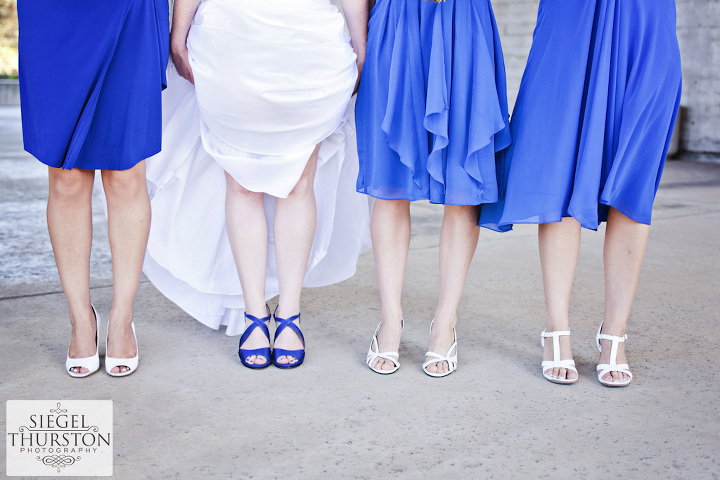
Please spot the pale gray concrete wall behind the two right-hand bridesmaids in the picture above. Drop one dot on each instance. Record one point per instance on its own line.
(699, 36)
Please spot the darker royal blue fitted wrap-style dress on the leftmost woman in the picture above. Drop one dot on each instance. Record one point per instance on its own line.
(91, 77)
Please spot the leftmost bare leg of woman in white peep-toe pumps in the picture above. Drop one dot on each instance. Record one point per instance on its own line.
(69, 217)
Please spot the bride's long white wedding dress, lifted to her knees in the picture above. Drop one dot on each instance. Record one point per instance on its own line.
(272, 79)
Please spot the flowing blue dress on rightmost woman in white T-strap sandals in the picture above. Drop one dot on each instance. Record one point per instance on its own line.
(594, 116)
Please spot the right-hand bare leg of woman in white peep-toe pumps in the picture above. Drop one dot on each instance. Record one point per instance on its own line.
(128, 229)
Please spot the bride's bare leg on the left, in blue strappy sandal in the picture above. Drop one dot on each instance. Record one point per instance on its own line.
(247, 230)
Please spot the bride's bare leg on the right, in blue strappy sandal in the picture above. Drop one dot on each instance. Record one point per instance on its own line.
(295, 221)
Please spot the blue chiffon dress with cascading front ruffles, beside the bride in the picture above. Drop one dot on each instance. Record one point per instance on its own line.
(432, 106)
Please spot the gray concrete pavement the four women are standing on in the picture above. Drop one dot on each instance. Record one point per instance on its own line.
(192, 411)
